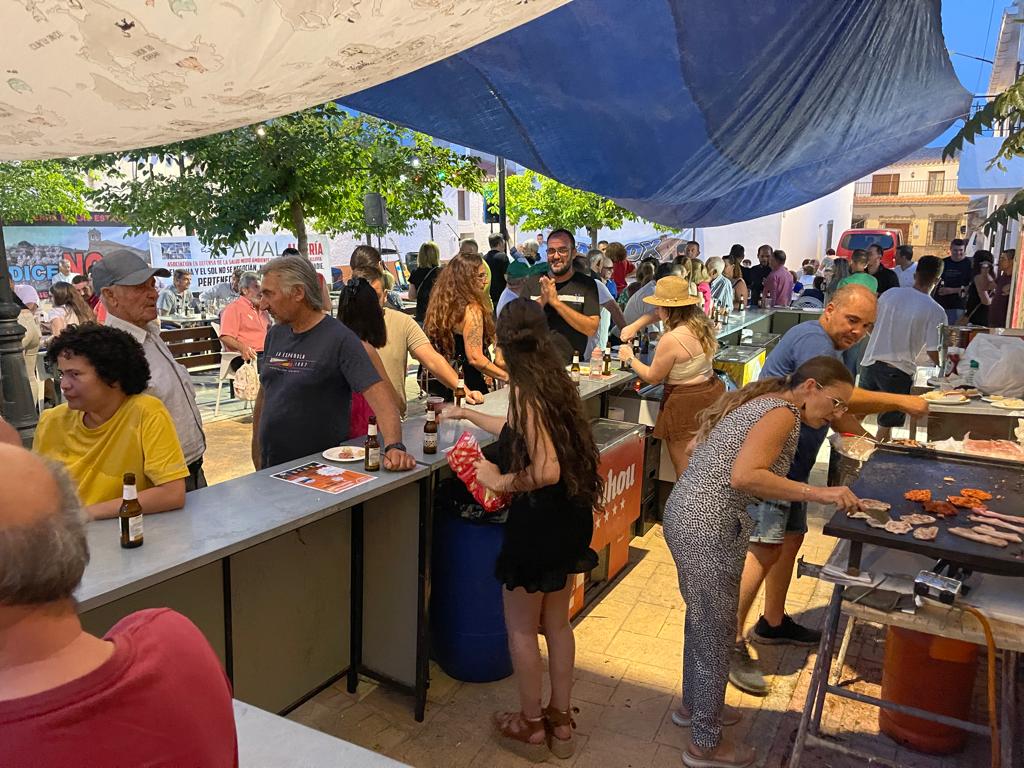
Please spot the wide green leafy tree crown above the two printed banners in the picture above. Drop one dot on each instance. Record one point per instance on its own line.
(312, 168)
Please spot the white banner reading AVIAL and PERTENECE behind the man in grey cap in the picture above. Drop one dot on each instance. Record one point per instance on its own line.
(208, 270)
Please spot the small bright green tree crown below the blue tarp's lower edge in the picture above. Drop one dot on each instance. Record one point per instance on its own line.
(537, 202)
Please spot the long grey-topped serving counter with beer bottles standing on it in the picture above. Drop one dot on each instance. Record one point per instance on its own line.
(295, 587)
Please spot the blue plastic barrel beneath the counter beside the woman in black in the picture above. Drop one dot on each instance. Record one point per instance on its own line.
(467, 623)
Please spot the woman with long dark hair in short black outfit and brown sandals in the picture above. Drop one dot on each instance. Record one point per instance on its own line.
(548, 460)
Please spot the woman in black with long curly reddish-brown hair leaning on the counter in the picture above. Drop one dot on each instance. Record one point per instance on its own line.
(460, 327)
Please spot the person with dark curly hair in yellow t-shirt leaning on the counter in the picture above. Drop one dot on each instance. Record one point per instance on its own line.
(107, 428)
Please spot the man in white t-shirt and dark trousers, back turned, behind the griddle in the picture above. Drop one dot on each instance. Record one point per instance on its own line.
(907, 327)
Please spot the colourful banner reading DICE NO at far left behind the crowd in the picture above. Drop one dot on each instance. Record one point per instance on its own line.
(35, 250)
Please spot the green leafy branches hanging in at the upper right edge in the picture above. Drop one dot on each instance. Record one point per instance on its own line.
(1007, 113)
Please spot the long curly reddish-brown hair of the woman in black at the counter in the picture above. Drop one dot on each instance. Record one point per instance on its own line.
(456, 289)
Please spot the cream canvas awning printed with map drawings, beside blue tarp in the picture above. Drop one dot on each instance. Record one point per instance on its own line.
(94, 76)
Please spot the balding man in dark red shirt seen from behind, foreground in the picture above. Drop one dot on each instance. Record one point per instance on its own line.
(151, 692)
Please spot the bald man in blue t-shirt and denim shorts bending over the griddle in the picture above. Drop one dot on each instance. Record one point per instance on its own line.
(780, 527)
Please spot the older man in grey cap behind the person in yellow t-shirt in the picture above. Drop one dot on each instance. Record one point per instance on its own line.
(127, 287)
